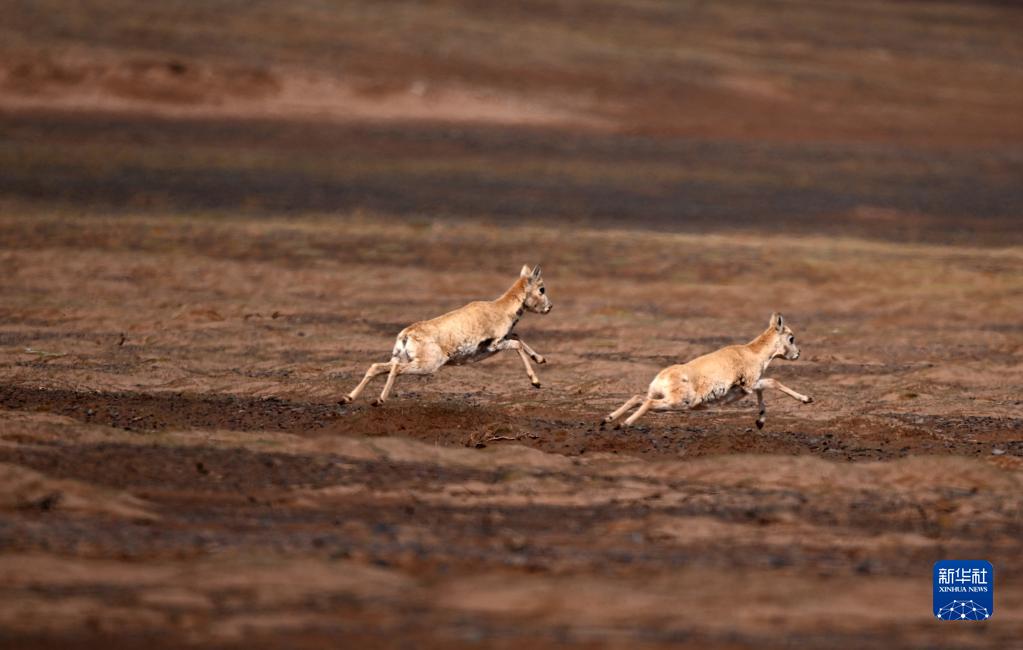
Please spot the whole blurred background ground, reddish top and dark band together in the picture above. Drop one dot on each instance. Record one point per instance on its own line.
(873, 119)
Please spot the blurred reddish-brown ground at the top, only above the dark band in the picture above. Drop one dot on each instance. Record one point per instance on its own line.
(928, 73)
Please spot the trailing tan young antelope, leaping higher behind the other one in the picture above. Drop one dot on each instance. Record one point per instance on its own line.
(469, 334)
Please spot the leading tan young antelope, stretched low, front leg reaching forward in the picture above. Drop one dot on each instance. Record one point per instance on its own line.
(723, 377)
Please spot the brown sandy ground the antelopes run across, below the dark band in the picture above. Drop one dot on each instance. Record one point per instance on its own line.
(177, 470)
